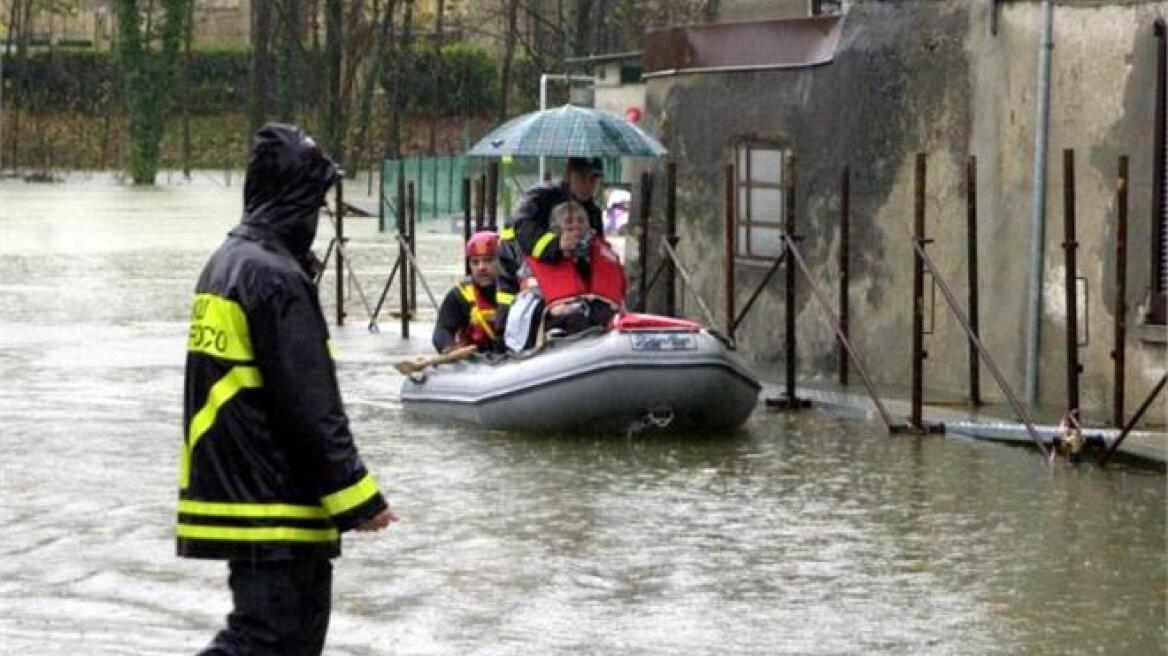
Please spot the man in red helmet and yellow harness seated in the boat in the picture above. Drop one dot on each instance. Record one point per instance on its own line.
(468, 313)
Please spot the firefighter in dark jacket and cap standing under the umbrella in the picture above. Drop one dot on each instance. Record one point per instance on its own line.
(529, 233)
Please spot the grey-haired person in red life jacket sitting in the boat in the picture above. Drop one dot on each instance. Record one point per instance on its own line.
(586, 287)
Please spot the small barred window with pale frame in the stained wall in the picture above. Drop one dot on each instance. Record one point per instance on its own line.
(761, 200)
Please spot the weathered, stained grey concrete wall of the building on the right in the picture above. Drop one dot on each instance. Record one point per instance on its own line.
(926, 76)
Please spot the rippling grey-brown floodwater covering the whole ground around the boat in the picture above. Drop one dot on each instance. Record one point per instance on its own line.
(797, 535)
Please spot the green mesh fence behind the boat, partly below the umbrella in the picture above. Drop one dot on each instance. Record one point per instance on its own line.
(439, 185)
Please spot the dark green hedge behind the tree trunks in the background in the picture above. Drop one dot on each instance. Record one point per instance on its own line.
(88, 82)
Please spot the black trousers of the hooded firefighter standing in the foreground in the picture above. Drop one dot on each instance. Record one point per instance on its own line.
(281, 609)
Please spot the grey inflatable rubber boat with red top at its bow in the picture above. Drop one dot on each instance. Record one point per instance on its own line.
(645, 372)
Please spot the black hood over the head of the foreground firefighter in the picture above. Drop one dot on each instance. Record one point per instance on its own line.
(288, 179)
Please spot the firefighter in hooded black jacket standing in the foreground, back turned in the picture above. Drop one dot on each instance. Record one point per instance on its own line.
(269, 474)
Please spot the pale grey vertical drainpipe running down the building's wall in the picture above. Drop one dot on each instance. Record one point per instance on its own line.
(1039, 218)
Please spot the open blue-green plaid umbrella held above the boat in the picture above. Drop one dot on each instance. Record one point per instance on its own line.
(568, 132)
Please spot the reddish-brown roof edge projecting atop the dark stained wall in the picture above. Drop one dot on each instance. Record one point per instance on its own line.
(742, 46)
